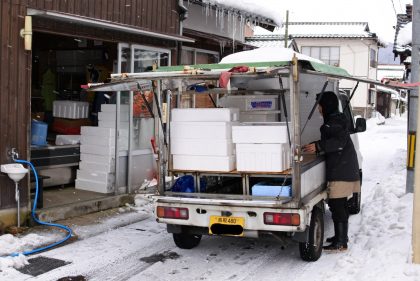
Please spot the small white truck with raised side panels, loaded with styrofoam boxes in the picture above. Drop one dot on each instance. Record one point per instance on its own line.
(231, 178)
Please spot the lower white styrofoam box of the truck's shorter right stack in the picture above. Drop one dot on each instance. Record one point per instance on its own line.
(262, 157)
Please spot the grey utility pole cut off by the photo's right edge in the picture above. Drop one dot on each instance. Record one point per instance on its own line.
(415, 60)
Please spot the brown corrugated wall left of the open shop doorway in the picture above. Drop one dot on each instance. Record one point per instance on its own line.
(15, 81)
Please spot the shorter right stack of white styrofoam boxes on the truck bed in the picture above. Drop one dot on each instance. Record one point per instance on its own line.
(261, 147)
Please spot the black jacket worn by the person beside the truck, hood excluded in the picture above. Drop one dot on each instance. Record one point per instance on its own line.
(336, 144)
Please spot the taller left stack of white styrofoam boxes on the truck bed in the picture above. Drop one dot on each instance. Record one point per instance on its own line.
(201, 139)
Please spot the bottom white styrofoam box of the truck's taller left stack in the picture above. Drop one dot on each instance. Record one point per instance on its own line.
(204, 163)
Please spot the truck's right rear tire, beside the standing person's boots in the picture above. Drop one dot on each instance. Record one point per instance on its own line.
(312, 249)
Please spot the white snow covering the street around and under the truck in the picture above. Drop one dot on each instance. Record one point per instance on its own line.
(379, 248)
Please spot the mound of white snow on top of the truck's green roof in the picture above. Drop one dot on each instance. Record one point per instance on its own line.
(267, 54)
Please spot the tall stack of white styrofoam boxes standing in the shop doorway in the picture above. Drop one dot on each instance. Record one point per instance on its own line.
(97, 151)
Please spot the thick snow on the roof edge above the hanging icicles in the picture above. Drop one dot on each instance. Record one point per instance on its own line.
(270, 9)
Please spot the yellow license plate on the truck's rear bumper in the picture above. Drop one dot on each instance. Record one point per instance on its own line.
(233, 224)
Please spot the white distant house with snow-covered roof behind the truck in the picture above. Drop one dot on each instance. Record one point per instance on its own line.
(350, 45)
